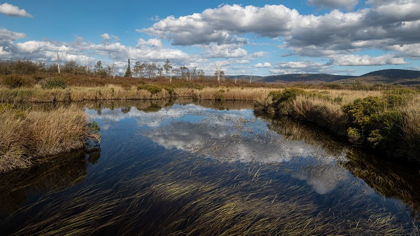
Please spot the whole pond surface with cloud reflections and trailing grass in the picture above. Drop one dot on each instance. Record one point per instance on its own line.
(208, 168)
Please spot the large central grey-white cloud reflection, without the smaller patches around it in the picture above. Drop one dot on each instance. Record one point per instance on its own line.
(222, 140)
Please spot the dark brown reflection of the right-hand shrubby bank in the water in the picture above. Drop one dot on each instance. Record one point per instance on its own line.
(388, 179)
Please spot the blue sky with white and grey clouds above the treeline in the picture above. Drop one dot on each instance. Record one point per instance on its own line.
(346, 37)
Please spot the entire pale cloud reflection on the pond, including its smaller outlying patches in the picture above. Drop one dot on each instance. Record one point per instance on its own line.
(234, 136)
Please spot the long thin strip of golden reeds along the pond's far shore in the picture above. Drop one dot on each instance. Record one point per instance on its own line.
(141, 92)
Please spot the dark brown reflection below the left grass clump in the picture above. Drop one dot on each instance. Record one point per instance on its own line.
(53, 174)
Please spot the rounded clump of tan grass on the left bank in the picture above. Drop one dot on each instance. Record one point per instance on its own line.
(28, 135)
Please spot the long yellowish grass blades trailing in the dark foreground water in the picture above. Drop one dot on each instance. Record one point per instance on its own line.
(183, 199)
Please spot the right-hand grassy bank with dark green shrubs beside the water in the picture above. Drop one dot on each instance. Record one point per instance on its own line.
(387, 122)
